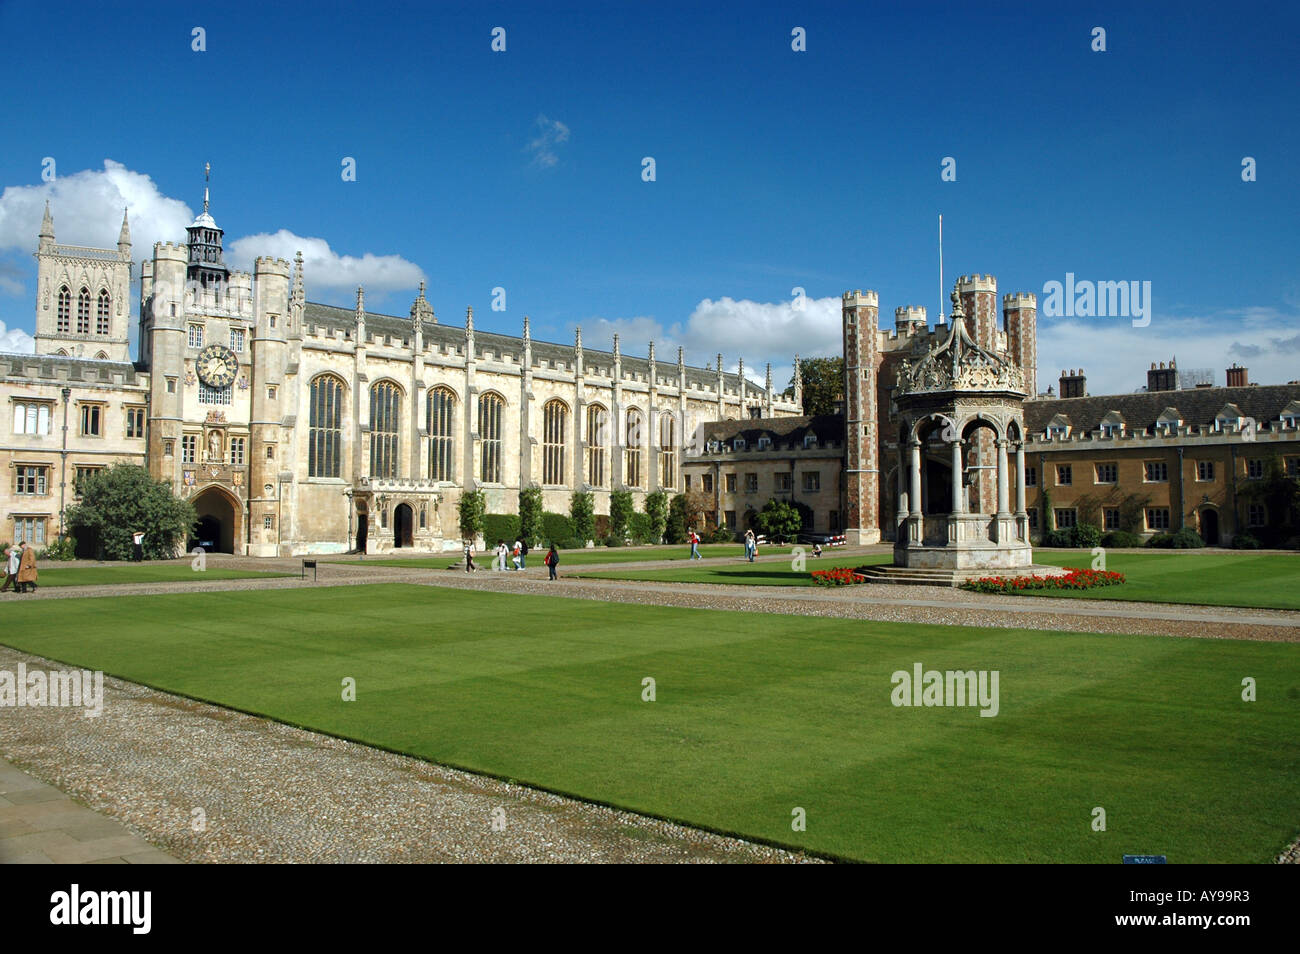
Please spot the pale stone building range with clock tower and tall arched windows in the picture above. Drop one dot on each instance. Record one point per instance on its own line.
(305, 428)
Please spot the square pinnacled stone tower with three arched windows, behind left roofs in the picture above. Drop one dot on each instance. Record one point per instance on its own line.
(83, 300)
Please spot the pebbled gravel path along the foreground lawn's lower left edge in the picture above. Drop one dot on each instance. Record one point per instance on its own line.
(272, 793)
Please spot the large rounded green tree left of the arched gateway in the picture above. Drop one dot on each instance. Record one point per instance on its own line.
(122, 500)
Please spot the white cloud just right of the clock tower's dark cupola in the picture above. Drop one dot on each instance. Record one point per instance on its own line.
(324, 268)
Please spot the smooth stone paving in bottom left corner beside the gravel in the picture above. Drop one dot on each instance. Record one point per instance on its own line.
(42, 826)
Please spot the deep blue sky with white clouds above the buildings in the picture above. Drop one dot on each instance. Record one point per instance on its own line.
(775, 170)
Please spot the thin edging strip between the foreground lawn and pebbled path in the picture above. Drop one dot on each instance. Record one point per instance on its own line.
(479, 773)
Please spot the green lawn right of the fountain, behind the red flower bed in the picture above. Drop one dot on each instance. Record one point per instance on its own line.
(1258, 580)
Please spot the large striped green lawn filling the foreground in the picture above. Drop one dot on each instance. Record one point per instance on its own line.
(756, 715)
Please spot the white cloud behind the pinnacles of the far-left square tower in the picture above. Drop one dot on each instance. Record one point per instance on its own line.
(88, 210)
